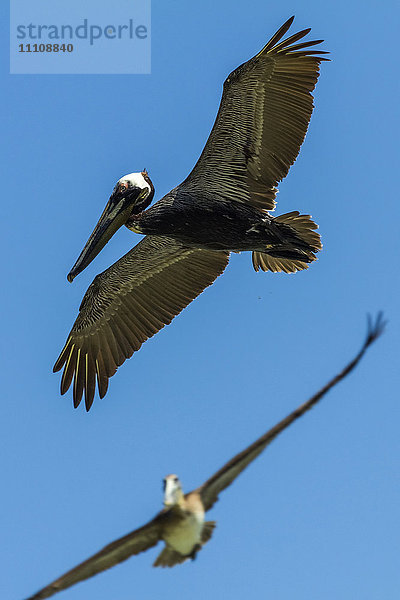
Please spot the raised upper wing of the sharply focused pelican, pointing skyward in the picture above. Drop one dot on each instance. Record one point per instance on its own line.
(261, 123)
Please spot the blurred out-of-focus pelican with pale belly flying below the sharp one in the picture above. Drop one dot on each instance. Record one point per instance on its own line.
(181, 523)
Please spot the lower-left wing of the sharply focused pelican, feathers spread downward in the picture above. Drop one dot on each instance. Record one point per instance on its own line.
(127, 304)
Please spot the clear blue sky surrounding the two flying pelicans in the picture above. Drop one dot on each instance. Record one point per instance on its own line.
(316, 516)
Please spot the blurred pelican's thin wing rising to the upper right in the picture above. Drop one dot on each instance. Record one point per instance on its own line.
(224, 477)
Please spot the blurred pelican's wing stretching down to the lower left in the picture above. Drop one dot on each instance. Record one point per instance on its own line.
(116, 552)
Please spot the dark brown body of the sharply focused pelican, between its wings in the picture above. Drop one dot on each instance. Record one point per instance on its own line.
(215, 223)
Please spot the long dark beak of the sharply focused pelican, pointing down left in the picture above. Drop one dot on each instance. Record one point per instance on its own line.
(116, 213)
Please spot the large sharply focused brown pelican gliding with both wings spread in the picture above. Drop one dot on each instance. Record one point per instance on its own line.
(221, 207)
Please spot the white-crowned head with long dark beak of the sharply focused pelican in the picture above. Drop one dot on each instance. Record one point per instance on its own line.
(131, 194)
